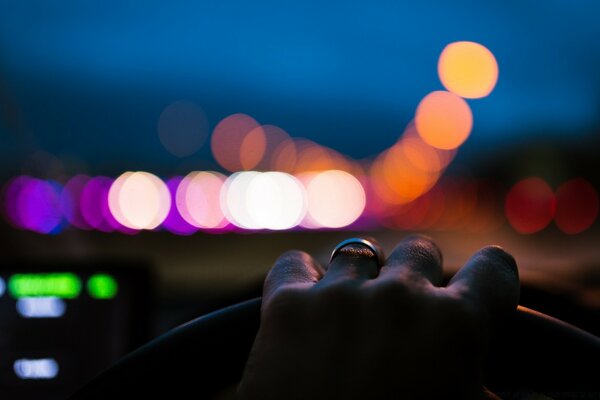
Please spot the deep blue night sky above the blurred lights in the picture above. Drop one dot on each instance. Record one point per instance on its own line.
(89, 79)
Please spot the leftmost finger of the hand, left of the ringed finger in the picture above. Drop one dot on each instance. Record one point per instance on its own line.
(293, 268)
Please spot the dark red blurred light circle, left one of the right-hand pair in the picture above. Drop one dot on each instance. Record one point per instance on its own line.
(530, 205)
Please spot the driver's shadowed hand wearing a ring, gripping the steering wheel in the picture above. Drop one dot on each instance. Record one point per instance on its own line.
(356, 332)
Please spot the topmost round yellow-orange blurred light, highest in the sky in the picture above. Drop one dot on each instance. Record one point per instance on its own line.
(468, 69)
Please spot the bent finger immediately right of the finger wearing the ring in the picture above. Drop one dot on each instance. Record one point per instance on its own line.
(416, 256)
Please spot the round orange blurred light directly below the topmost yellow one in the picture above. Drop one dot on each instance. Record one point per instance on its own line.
(444, 120)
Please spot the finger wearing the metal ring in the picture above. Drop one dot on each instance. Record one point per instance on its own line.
(353, 261)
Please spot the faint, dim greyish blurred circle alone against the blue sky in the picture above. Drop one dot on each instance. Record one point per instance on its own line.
(182, 128)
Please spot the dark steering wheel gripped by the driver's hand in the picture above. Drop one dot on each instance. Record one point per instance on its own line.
(531, 352)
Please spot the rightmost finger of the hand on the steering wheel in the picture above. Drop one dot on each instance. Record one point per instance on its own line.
(490, 279)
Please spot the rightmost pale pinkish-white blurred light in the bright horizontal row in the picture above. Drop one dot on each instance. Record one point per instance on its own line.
(335, 199)
